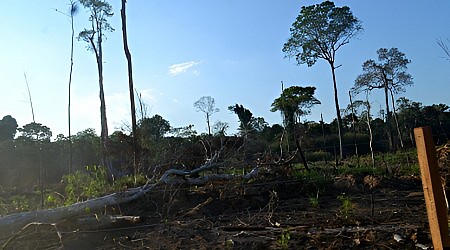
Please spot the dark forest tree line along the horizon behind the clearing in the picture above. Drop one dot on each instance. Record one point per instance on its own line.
(26, 150)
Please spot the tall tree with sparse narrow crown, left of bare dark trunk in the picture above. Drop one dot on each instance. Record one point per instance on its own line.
(100, 10)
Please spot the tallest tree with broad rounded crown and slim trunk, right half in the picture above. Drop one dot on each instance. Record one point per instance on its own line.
(319, 31)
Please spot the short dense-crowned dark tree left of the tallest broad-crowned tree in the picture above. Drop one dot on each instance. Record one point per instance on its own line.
(294, 103)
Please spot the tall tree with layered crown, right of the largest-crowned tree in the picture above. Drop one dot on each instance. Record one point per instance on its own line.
(388, 74)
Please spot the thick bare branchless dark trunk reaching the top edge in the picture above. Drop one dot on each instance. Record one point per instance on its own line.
(131, 88)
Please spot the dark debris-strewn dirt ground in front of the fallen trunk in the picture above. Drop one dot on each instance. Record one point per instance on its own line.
(275, 214)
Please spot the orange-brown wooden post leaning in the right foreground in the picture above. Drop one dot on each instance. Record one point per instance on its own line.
(432, 188)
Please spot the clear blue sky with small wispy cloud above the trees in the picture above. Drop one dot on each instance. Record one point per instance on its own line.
(185, 49)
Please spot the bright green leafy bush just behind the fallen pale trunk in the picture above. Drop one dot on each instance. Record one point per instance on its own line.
(84, 185)
